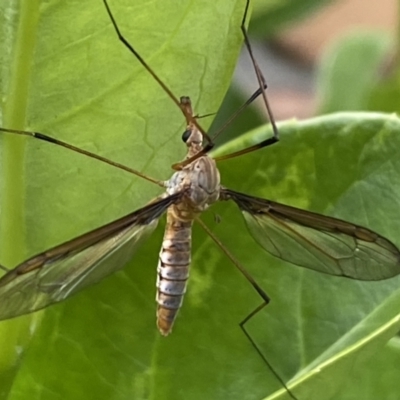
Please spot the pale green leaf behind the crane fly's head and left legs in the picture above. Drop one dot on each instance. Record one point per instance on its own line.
(69, 76)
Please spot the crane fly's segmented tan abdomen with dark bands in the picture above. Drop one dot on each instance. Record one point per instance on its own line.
(173, 270)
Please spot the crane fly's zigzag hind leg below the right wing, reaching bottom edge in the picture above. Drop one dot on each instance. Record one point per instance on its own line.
(259, 290)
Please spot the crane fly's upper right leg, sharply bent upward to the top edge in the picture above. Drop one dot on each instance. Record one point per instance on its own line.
(262, 84)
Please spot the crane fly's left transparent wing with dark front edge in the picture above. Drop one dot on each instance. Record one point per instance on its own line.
(60, 272)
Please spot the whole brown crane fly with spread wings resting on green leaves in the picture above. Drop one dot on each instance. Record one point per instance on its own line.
(300, 237)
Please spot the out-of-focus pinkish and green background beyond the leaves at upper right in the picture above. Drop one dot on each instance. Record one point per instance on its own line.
(319, 56)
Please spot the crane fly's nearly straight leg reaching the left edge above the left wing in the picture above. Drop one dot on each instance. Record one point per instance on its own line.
(41, 136)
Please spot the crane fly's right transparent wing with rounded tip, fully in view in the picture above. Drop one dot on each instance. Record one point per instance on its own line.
(314, 241)
